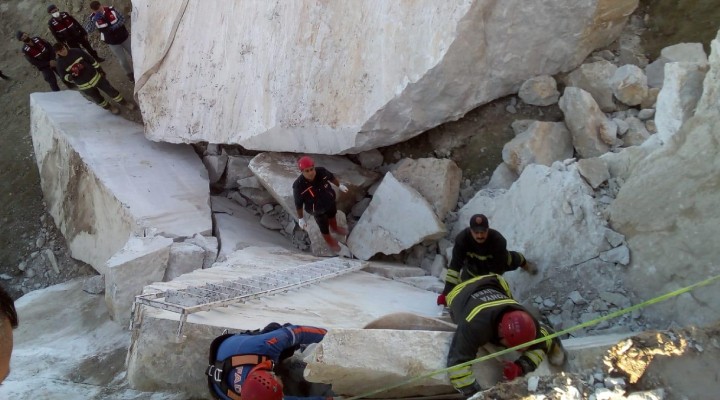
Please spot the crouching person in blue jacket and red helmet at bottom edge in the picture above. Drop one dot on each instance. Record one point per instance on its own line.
(242, 365)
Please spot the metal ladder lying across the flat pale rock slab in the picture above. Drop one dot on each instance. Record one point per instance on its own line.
(213, 295)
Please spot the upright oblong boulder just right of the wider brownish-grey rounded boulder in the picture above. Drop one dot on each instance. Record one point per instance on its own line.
(585, 120)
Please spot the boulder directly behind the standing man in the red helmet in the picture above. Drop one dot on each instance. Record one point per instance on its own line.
(277, 172)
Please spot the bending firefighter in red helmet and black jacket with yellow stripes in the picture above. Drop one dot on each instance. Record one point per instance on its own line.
(485, 312)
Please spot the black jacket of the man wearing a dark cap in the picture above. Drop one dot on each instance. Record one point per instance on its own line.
(470, 258)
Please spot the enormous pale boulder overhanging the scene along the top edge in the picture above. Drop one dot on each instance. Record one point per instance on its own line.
(344, 77)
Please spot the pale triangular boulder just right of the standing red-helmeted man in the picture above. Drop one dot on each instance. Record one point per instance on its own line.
(397, 218)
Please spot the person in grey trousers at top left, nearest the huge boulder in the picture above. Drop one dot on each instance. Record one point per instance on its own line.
(111, 25)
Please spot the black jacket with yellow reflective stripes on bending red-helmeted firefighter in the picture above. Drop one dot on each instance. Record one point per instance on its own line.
(477, 307)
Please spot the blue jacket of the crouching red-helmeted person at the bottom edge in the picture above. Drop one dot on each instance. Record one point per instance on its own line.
(259, 348)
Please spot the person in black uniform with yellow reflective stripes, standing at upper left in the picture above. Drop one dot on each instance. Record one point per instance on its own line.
(78, 67)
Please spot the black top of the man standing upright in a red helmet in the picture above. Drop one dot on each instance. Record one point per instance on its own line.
(316, 197)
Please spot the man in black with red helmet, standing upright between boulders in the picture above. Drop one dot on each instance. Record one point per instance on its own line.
(312, 191)
